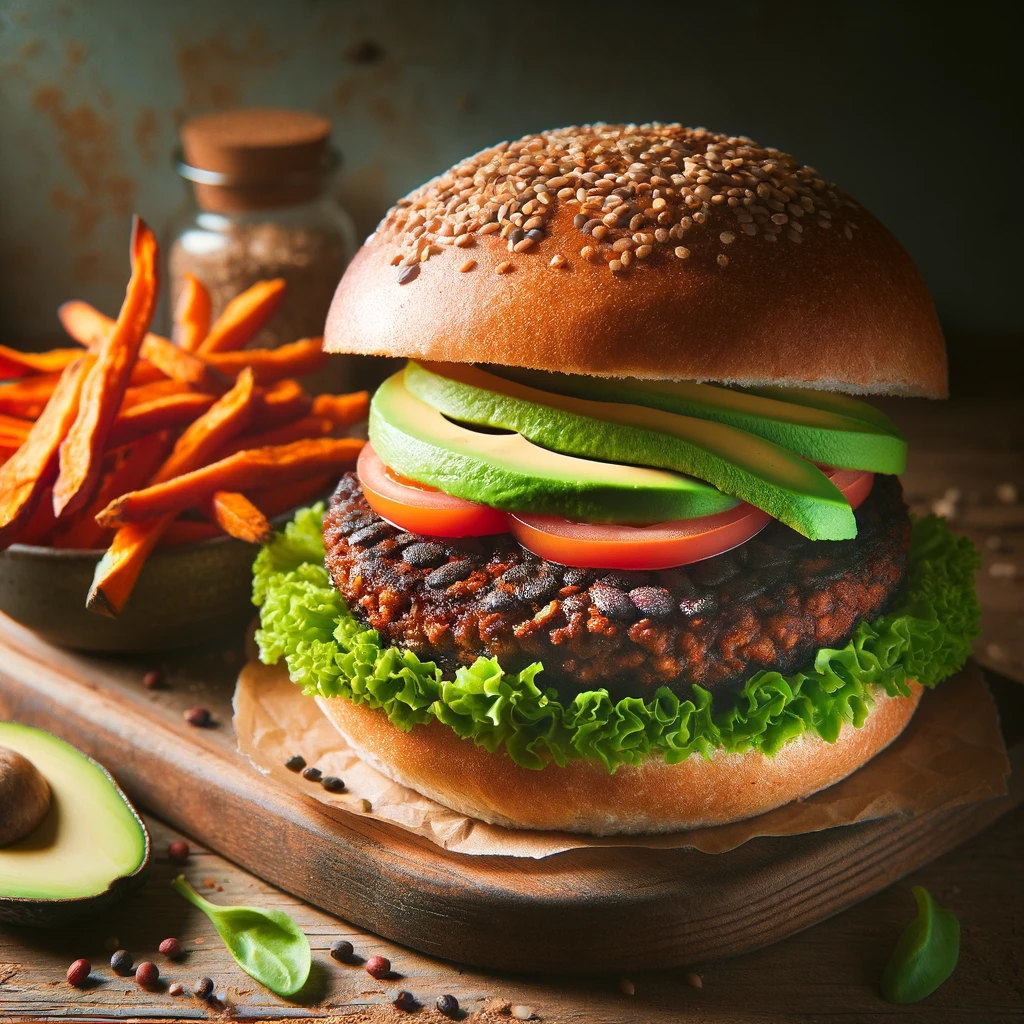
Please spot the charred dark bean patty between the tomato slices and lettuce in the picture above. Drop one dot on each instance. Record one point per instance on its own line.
(771, 604)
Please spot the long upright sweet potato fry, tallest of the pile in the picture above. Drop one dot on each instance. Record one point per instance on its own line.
(81, 453)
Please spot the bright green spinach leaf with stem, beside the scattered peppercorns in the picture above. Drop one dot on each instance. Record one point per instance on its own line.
(268, 945)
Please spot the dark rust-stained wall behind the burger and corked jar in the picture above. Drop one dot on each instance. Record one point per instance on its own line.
(914, 109)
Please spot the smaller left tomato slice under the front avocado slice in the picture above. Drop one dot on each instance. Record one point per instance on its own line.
(421, 509)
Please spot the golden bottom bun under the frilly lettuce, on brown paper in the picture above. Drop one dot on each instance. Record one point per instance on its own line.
(583, 797)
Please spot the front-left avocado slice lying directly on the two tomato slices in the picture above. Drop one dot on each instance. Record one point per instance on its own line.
(506, 472)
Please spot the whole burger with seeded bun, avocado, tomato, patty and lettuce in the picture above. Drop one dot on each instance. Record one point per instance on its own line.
(627, 549)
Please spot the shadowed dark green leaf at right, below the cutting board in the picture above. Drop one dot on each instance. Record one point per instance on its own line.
(926, 954)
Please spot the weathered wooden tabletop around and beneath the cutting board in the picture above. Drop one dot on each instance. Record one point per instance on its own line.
(964, 454)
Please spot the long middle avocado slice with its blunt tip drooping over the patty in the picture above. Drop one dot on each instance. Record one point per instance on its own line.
(739, 463)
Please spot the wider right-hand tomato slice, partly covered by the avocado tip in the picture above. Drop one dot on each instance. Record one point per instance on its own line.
(663, 545)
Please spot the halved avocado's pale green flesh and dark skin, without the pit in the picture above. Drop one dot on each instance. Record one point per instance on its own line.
(89, 851)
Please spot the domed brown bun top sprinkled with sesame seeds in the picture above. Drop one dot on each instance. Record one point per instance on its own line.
(653, 251)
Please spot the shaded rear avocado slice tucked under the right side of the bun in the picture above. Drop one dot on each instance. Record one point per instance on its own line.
(835, 431)
